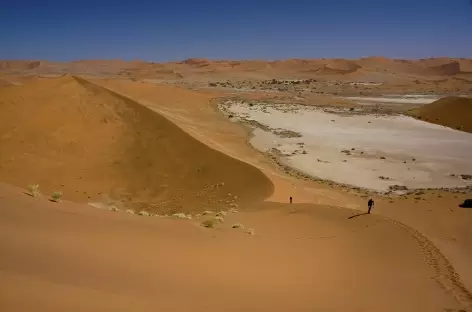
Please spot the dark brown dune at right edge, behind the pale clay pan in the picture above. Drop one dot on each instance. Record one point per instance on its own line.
(453, 112)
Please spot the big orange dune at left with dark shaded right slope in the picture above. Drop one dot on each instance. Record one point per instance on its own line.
(67, 134)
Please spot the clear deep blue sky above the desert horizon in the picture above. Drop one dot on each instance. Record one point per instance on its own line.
(238, 29)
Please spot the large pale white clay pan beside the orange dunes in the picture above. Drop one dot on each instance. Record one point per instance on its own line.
(367, 151)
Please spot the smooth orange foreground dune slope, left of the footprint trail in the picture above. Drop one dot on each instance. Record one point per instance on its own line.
(84, 259)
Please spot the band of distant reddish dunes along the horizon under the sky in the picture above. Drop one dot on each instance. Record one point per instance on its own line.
(251, 69)
